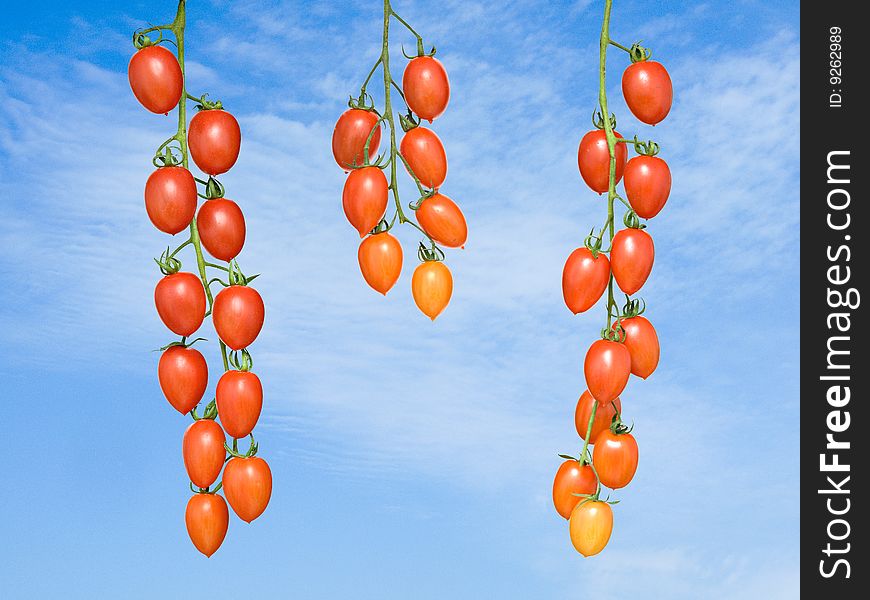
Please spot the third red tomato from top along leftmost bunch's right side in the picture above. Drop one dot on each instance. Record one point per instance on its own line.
(238, 314)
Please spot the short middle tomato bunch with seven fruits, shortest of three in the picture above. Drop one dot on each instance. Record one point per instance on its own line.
(356, 141)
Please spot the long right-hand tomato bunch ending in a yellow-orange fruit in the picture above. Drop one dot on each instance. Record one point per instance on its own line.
(629, 344)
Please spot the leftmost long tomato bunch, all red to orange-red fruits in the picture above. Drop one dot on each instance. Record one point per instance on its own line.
(184, 299)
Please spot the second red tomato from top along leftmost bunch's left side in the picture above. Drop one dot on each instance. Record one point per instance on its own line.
(170, 198)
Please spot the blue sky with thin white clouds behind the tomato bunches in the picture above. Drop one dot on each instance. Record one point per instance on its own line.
(410, 459)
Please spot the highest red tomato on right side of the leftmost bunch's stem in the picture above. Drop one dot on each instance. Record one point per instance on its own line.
(214, 139)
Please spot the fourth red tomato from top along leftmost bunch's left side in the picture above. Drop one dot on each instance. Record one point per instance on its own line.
(183, 376)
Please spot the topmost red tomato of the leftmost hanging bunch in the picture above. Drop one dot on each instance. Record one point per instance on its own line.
(156, 79)
